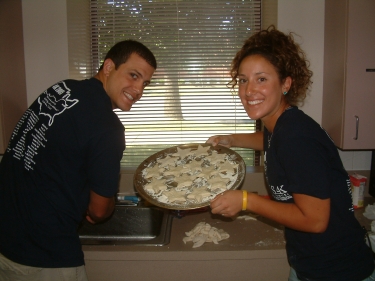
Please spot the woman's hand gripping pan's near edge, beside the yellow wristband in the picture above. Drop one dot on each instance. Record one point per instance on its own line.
(228, 203)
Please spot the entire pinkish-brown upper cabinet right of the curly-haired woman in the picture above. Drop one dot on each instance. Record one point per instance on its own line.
(349, 73)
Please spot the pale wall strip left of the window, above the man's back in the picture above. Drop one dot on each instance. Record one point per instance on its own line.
(45, 34)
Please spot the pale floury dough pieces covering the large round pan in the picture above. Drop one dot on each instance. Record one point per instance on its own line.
(190, 176)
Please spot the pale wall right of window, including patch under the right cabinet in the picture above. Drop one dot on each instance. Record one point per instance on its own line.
(306, 18)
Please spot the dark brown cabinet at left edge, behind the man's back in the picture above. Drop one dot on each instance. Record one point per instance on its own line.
(13, 98)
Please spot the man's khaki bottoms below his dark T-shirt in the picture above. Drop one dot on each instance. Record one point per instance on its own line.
(12, 271)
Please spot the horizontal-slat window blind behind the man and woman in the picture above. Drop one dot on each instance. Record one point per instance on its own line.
(194, 43)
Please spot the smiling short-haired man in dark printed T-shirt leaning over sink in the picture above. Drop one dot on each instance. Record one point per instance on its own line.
(62, 163)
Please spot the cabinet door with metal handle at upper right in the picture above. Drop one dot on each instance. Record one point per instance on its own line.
(359, 100)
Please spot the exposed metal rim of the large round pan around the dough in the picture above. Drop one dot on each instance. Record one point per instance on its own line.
(140, 181)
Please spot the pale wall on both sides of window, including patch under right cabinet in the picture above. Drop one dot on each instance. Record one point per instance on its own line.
(46, 52)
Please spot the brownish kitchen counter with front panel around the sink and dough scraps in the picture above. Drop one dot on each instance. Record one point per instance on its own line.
(255, 250)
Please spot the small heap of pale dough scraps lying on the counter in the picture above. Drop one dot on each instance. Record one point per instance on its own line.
(202, 233)
